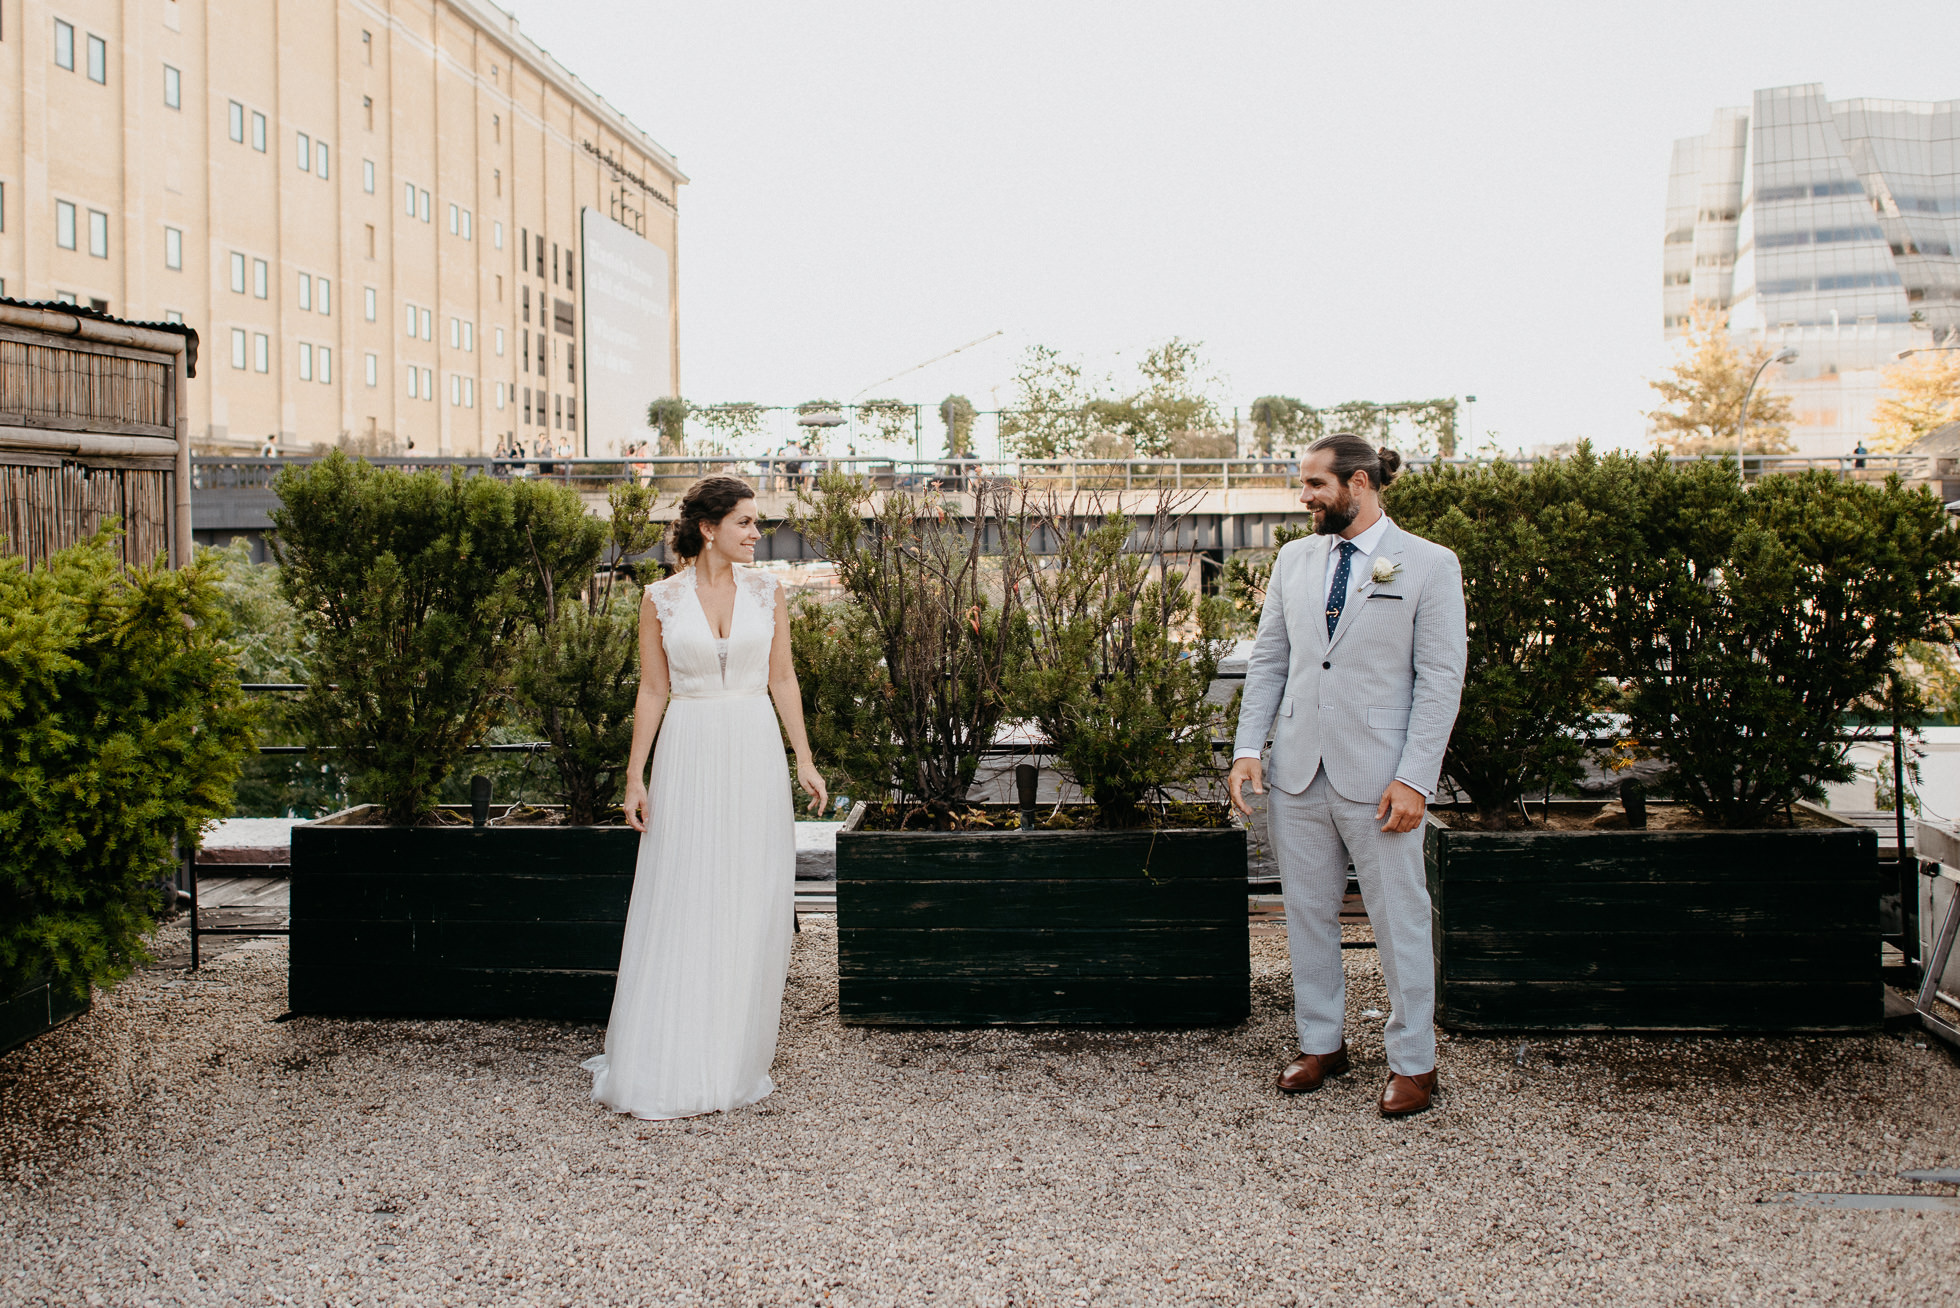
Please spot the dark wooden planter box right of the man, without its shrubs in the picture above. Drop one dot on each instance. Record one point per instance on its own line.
(1769, 931)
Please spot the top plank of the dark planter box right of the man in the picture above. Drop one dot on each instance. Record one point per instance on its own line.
(1790, 858)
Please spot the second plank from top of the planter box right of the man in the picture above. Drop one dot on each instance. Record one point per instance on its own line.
(1647, 907)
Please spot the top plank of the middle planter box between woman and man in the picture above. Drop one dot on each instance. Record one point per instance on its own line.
(1040, 856)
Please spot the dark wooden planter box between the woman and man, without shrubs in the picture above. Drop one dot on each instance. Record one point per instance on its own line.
(1042, 929)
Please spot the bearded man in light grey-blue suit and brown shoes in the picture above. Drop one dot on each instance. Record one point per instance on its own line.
(1355, 674)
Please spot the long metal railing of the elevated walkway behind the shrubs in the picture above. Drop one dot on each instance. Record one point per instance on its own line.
(777, 474)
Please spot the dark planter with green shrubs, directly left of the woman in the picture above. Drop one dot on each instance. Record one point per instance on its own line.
(418, 591)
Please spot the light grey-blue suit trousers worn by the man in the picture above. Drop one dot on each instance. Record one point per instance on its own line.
(1316, 834)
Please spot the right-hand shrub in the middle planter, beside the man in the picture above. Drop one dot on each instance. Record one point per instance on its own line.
(1116, 662)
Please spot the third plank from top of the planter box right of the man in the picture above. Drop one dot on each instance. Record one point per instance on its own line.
(1659, 956)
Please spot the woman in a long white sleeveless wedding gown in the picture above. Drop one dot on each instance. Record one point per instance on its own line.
(709, 932)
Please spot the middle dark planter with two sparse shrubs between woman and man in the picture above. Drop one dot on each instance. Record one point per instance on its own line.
(1128, 911)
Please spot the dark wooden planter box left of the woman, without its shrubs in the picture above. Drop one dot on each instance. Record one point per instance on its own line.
(456, 923)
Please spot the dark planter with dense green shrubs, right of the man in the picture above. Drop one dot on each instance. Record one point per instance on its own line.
(1743, 629)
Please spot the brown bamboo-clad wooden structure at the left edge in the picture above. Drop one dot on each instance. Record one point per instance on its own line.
(93, 427)
